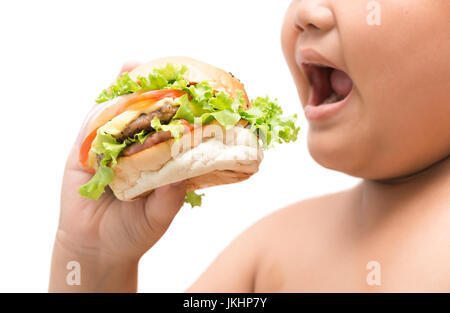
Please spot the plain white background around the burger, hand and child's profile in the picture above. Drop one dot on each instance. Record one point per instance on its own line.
(56, 56)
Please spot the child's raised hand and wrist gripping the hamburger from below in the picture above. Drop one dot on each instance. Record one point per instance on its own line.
(107, 236)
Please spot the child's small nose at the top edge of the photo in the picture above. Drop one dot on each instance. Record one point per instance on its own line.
(314, 15)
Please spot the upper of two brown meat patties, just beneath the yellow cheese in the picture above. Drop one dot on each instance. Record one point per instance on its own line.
(164, 113)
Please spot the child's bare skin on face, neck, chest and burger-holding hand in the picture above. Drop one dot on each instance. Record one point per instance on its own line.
(394, 133)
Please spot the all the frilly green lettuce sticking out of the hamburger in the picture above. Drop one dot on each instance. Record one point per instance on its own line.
(201, 105)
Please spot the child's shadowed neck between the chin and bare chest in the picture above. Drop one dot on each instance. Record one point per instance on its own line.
(426, 188)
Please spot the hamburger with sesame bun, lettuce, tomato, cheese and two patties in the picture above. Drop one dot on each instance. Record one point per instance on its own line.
(177, 119)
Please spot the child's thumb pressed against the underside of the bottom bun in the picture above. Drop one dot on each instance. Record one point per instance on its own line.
(164, 203)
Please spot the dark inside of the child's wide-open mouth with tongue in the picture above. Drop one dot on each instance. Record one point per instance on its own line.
(328, 85)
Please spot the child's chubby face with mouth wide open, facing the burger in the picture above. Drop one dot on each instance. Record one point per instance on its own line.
(397, 118)
